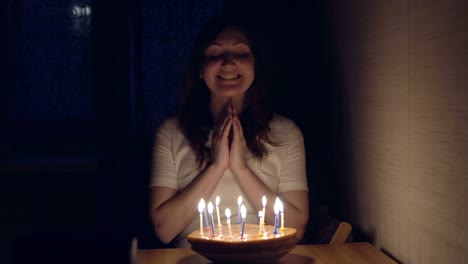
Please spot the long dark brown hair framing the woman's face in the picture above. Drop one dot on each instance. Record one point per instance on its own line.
(195, 118)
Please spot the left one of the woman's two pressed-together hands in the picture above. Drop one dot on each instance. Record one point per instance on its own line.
(221, 141)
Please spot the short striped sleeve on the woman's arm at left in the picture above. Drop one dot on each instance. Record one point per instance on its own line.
(163, 172)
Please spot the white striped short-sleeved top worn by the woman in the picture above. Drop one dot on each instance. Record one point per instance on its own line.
(284, 169)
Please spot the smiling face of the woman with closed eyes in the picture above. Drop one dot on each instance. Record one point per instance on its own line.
(228, 69)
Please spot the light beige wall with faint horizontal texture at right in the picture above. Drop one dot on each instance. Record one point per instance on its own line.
(403, 73)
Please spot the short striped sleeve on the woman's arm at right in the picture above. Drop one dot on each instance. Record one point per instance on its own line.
(293, 173)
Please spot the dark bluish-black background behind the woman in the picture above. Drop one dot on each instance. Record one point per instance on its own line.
(81, 97)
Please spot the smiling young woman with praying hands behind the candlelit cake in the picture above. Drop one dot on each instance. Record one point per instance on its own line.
(226, 141)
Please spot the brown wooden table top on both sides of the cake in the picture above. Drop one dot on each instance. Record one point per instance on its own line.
(347, 253)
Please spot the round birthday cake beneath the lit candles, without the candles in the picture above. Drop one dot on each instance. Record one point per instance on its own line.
(252, 247)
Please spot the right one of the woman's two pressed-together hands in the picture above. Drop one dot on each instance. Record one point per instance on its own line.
(237, 152)
